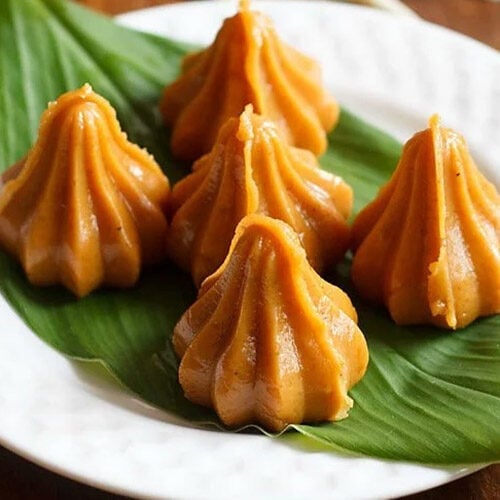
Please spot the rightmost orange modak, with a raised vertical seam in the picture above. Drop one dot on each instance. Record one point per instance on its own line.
(428, 246)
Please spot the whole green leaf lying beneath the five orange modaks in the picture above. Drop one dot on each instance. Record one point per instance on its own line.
(428, 396)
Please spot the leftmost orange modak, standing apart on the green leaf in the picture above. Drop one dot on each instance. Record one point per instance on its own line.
(85, 207)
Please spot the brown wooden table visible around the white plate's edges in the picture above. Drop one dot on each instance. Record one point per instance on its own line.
(19, 479)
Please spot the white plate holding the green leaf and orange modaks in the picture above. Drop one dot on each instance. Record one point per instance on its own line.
(393, 71)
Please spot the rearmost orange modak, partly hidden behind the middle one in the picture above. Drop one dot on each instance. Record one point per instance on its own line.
(247, 63)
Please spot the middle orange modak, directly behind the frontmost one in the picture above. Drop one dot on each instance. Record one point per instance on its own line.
(252, 169)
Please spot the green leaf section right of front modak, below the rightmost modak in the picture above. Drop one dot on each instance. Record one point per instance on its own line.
(428, 396)
